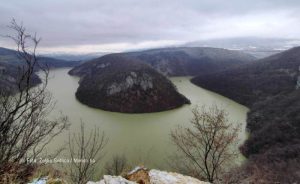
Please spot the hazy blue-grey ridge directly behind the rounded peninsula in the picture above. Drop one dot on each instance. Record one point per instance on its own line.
(186, 61)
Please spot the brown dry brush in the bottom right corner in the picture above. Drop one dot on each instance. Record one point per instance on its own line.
(260, 171)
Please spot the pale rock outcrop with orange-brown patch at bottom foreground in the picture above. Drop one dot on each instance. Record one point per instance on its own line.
(142, 175)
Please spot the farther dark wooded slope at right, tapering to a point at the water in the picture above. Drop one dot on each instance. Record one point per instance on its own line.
(257, 80)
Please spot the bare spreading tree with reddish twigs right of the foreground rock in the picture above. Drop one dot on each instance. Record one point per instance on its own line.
(206, 149)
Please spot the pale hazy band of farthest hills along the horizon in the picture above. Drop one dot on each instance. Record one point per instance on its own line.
(258, 47)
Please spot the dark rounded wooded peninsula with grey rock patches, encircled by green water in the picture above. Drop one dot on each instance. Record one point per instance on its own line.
(117, 83)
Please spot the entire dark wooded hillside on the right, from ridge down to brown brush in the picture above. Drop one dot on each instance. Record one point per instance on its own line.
(271, 88)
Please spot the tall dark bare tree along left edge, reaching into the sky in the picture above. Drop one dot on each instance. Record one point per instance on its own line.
(24, 128)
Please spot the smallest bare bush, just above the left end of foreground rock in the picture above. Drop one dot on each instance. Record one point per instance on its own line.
(116, 166)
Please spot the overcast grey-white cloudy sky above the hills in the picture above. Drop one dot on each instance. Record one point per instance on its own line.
(117, 25)
